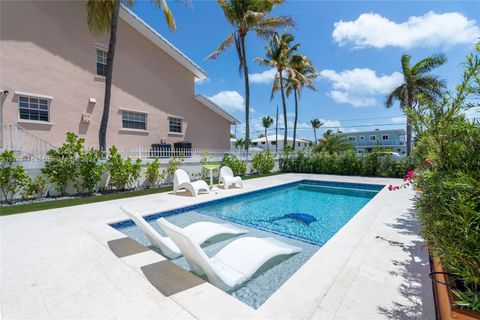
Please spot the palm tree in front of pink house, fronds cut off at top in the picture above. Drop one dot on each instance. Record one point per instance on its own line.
(102, 16)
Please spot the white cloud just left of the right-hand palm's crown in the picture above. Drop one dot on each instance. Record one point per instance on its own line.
(360, 87)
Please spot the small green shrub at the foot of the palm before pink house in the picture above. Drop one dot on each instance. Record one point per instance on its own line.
(90, 170)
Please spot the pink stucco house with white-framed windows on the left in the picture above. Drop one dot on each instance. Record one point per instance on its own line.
(52, 68)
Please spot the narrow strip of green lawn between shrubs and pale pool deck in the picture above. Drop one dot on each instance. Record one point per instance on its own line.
(54, 204)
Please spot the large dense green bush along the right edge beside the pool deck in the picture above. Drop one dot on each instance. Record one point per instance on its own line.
(448, 174)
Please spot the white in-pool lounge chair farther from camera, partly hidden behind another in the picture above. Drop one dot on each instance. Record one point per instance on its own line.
(200, 232)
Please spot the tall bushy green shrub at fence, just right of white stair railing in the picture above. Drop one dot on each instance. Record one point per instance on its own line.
(61, 168)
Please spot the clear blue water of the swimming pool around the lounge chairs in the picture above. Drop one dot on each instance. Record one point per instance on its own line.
(306, 214)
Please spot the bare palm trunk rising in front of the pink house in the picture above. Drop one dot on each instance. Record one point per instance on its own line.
(102, 135)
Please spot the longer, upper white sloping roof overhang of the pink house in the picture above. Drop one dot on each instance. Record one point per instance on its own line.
(148, 32)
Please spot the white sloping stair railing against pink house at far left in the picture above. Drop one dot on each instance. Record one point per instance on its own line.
(26, 145)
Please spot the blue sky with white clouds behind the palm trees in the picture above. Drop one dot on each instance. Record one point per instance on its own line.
(355, 46)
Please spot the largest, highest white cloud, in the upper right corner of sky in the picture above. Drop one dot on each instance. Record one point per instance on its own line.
(429, 30)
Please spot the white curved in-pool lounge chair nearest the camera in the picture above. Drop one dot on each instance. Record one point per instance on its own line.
(232, 265)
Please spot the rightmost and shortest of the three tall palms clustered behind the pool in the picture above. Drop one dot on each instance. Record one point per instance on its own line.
(303, 76)
